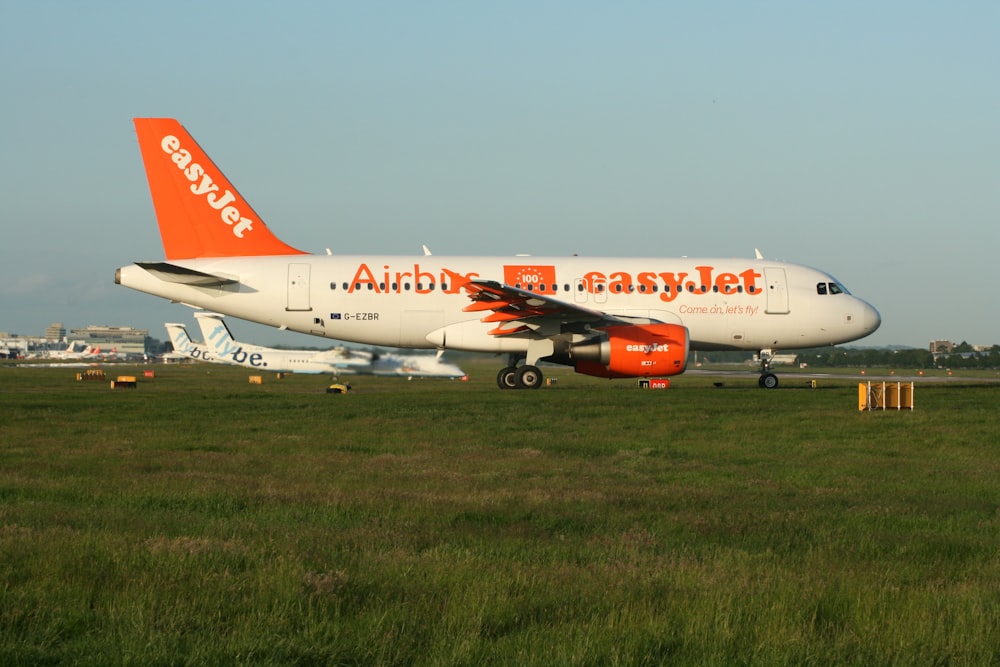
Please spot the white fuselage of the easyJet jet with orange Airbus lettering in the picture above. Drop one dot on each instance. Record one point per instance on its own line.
(418, 301)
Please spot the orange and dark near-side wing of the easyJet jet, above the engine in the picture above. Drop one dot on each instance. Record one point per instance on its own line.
(519, 311)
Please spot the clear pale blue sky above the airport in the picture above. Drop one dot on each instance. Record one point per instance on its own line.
(862, 138)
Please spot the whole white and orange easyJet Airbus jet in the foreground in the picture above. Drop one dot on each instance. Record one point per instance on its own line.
(608, 317)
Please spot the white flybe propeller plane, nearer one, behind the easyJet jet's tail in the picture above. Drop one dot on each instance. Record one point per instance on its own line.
(224, 347)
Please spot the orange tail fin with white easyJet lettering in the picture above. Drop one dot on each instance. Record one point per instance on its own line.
(199, 212)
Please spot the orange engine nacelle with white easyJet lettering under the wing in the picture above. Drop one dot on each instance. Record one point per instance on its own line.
(639, 350)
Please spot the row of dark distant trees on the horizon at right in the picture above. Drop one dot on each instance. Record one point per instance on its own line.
(963, 356)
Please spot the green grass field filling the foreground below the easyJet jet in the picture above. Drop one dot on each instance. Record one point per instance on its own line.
(201, 520)
